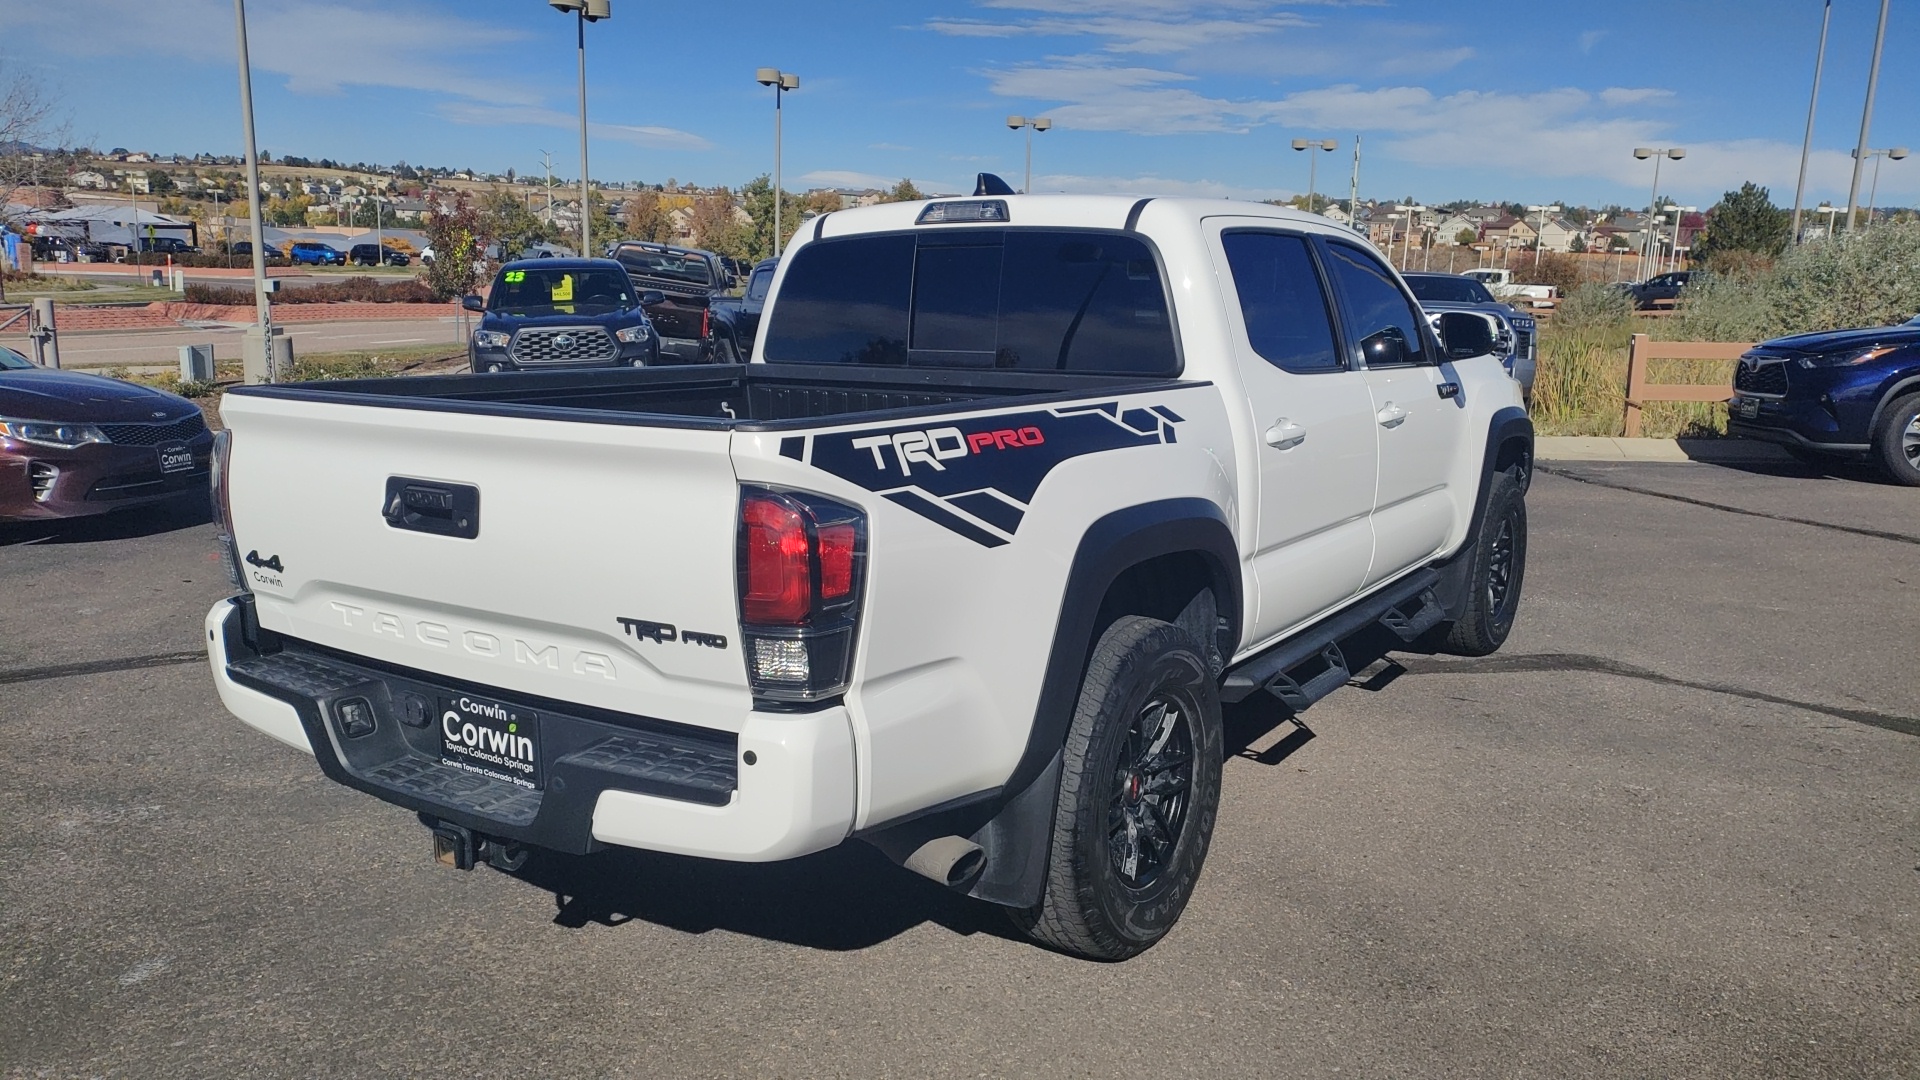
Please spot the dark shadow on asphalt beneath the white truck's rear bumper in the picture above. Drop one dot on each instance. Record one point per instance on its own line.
(842, 900)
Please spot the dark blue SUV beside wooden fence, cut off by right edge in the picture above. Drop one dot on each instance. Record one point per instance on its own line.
(1836, 395)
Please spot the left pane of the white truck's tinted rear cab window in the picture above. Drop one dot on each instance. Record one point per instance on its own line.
(844, 303)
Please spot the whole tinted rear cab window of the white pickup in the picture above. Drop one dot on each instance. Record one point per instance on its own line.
(1017, 299)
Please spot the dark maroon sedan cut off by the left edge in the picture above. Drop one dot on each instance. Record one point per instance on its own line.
(76, 445)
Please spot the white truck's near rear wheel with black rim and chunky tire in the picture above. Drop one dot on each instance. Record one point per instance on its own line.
(1111, 775)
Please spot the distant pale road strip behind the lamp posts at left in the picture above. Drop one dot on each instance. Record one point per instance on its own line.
(137, 349)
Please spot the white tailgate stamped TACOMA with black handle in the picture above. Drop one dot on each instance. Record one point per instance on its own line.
(596, 549)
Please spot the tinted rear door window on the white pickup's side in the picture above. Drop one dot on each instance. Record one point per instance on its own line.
(1282, 301)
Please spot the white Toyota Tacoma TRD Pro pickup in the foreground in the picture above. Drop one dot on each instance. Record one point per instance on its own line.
(1013, 495)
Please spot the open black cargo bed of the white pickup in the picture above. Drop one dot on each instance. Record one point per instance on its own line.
(756, 397)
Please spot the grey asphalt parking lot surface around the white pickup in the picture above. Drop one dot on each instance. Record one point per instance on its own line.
(1671, 831)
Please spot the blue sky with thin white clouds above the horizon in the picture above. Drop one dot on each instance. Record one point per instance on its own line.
(1454, 99)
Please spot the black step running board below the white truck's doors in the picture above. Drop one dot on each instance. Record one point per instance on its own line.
(1310, 666)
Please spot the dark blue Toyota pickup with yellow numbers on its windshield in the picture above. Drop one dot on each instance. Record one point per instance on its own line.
(546, 314)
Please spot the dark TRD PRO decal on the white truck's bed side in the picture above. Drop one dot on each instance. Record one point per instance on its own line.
(978, 476)
